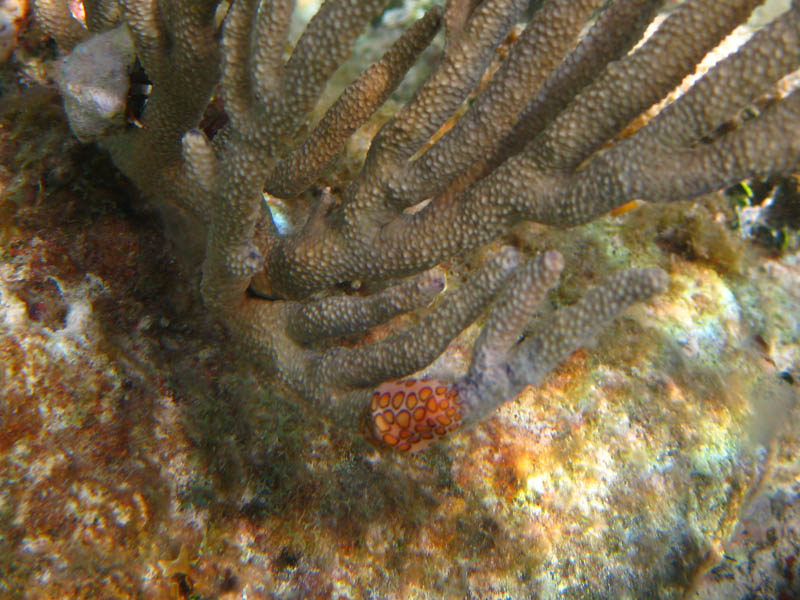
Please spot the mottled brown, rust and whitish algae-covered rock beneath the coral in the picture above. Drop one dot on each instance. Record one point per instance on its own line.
(139, 457)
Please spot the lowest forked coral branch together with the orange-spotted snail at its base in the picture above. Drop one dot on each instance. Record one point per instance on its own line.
(409, 415)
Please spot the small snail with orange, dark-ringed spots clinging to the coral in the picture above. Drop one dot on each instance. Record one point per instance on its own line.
(411, 414)
